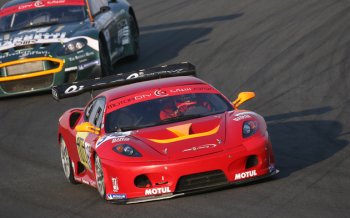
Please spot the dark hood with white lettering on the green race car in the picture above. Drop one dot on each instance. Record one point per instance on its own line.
(38, 41)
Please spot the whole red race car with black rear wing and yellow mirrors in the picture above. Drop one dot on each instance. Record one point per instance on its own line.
(156, 139)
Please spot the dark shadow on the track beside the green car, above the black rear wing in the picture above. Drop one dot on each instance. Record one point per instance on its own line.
(163, 42)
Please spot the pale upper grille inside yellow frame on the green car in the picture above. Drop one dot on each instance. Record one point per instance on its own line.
(29, 67)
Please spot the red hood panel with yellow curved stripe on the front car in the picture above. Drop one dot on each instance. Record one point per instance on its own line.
(186, 139)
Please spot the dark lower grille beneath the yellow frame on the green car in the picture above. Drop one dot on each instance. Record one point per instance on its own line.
(29, 84)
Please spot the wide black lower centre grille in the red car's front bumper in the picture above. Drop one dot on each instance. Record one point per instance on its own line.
(201, 181)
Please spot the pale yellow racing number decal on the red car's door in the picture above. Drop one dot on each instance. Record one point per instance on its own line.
(84, 149)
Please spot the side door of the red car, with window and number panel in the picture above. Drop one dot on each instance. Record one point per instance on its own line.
(86, 140)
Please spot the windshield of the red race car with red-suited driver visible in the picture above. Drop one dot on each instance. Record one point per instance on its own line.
(165, 110)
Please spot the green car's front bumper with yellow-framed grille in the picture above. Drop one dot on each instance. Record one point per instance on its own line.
(55, 71)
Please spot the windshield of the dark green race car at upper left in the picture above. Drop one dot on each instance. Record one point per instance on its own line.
(44, 16)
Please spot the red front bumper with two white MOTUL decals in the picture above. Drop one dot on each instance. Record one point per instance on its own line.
(176, 178)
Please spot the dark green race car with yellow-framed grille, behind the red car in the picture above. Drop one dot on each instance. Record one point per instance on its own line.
(44, 43)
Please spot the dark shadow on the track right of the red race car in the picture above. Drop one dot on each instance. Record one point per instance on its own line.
(299, 144)
